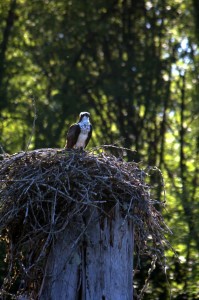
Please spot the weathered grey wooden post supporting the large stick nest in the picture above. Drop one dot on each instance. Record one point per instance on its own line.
(94, 261)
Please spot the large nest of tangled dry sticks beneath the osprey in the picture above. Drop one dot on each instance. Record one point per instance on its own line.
(42, 191)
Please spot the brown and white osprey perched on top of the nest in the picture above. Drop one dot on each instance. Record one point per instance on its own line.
(79, 133)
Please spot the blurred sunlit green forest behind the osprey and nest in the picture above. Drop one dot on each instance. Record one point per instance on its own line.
(134, 65)
